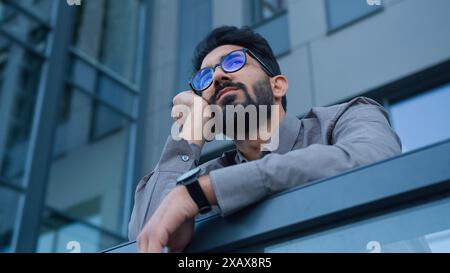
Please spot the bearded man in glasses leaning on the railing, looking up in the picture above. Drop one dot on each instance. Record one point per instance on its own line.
(236, 67)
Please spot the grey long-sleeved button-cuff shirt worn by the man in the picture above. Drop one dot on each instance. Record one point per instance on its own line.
(327, 141)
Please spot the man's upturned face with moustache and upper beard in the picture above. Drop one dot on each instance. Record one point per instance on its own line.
(248, 86)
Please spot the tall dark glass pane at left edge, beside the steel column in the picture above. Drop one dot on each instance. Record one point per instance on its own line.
(20, 72)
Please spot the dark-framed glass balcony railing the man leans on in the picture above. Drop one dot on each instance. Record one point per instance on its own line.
(397, 205)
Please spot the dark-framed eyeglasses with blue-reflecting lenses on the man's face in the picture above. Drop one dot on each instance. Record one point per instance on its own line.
(230, 63)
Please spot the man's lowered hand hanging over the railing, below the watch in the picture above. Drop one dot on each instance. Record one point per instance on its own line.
(172, 224)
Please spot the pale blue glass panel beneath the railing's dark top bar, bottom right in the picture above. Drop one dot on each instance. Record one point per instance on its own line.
(423, 228)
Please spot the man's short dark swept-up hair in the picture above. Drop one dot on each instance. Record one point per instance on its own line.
(245, 37)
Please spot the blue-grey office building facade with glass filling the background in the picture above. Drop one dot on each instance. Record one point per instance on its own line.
(86, 89)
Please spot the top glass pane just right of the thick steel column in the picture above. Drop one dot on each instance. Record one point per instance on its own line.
(108, 31)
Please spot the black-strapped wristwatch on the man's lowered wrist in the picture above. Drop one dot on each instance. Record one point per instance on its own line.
(190, 181)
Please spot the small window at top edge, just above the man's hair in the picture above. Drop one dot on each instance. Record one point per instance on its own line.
(263, 10)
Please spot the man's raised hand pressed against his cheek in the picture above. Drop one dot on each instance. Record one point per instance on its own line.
(188, 111)
